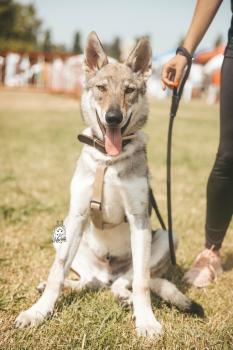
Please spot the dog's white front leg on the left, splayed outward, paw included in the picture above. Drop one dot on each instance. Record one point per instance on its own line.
(74, 224)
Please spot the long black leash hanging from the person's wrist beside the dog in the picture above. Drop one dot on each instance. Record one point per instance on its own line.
(177, 93)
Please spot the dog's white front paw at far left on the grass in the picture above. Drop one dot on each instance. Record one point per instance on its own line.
(29, 318)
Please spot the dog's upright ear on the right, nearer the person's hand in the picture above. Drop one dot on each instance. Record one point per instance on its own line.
(139, 59)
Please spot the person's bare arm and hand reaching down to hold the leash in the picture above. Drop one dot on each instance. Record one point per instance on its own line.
(203, 15)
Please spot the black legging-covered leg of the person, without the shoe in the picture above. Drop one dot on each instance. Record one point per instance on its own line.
(220, 184)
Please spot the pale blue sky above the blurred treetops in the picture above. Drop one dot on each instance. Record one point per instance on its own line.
(165, 21)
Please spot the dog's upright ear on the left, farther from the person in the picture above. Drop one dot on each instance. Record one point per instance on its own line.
(95, 57)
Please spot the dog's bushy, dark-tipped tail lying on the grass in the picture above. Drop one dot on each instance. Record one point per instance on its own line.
(171, 294)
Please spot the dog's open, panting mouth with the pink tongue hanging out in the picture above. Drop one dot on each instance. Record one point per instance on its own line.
(113, 137)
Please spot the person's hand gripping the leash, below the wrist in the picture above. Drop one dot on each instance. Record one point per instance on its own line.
(173, 71)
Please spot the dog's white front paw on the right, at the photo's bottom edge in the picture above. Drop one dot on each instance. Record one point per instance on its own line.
(148, 327)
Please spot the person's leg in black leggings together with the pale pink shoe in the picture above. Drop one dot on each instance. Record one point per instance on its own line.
(219, 189)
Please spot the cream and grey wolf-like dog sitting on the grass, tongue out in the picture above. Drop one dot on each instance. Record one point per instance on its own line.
(110, 243)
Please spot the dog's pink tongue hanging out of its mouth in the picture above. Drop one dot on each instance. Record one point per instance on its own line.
(113, 141)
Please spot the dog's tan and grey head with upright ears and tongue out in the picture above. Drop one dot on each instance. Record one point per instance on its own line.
(114, 96)
